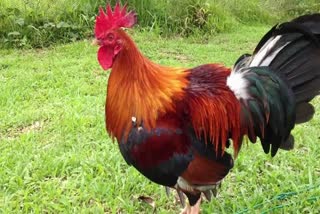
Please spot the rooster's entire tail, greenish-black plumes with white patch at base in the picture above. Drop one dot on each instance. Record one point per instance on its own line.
(276, 83)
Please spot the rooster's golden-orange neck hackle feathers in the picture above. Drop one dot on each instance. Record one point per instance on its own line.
(140, 88)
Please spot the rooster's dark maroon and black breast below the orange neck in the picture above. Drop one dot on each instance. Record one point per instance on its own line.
(161, 154)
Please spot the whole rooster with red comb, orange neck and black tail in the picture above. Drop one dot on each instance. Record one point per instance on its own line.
(174, 124)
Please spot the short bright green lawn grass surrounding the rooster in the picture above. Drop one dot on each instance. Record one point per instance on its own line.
(55, 155)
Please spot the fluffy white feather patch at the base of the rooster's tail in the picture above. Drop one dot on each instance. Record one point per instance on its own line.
(238, 84)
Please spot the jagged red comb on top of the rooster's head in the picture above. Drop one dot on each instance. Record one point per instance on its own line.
(114, 19)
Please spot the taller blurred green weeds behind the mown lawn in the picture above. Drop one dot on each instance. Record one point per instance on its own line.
(42, 23)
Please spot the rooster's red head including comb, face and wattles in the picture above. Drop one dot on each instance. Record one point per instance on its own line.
(107, 35)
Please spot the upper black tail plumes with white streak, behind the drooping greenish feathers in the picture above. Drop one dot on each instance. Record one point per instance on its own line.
(292, 50)
